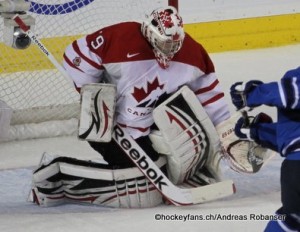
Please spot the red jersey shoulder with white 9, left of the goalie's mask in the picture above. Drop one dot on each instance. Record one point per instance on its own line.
(120, 43)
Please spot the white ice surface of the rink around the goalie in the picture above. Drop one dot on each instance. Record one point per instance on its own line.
(257, 194)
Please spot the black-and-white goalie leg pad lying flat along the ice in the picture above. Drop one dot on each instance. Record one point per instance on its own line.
(66, 180)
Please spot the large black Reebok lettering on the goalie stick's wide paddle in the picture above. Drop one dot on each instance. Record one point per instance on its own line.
(139, 159)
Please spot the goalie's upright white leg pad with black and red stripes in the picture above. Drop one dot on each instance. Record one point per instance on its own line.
(188, 134)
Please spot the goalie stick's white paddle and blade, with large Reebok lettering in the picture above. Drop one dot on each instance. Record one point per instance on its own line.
(176, 195)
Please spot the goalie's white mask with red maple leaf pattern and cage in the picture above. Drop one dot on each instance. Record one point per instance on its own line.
(164, 31)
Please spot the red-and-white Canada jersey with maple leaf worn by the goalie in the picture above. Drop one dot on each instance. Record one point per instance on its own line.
(121, 55)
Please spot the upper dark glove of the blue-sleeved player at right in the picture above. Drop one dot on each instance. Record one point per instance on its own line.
(239, 91)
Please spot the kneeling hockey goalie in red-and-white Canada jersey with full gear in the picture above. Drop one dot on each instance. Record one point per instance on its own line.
(148, 90)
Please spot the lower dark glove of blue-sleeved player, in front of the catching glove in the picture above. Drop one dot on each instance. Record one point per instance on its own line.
(245, 128)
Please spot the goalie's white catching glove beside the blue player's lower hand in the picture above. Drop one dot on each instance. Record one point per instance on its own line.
(241, 151)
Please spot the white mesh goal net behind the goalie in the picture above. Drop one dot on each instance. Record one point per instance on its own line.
(43, 102)
